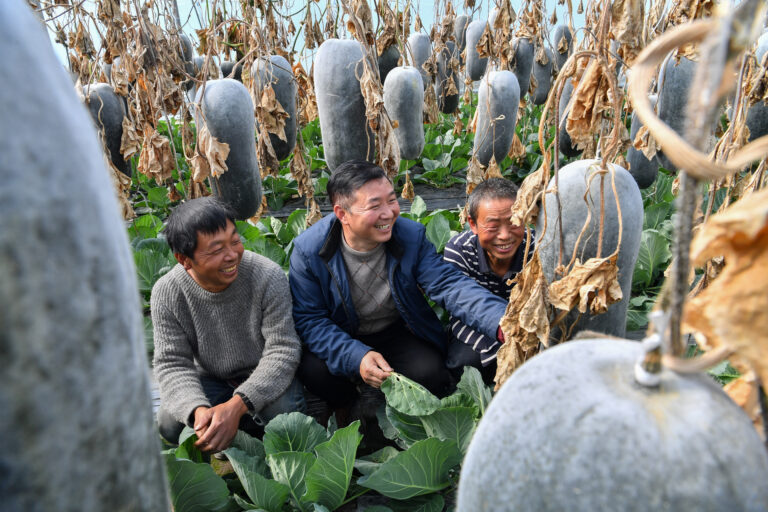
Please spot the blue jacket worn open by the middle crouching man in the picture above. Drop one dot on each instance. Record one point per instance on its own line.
(325, 317)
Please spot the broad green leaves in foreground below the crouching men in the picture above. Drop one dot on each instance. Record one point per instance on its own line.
(300, 466)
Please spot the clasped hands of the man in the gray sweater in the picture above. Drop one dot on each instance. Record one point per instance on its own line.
(216, 426)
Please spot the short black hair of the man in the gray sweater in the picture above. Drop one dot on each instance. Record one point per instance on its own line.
(203, 215)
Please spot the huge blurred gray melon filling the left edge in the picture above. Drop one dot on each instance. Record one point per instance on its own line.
(76, 427)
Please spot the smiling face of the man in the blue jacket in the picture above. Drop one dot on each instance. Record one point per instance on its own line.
(368, 220)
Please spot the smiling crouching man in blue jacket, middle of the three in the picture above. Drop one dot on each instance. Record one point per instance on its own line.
(359, 279)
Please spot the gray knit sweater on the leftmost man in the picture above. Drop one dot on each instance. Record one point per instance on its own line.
(245, 330)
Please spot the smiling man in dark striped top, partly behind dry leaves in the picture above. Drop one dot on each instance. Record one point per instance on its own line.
(491, 253)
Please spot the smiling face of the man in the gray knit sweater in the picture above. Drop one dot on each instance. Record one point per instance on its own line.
(216, 259)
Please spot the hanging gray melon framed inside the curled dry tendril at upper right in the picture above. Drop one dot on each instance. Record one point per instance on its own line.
(674, 84)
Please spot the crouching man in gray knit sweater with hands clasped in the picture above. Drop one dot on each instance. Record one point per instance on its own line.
(226, 350)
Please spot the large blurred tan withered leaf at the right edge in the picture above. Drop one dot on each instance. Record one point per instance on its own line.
(730, 312)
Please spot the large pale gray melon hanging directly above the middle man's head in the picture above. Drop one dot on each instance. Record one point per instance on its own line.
(345, 131)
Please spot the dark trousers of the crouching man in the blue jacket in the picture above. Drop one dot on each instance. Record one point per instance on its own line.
(406, 353)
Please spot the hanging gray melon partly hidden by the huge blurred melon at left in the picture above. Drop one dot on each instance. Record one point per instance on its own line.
(108, 111)
